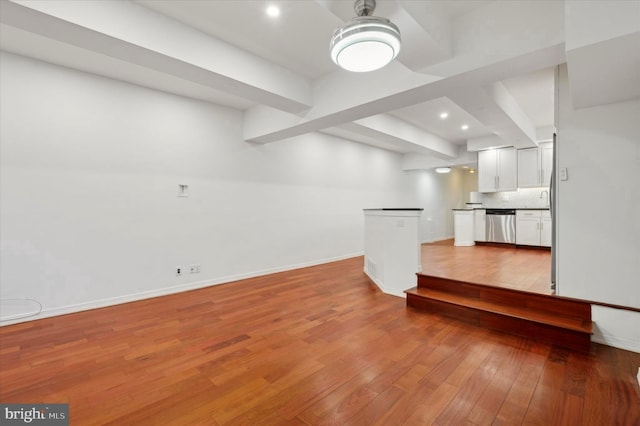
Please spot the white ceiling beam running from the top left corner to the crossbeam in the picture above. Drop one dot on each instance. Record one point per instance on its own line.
(146, 38)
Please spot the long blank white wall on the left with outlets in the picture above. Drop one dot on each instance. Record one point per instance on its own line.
(90, 168)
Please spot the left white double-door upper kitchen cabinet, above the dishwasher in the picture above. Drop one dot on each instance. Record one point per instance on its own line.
(497, 170)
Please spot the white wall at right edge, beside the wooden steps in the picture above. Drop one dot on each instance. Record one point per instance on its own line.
(599, 212)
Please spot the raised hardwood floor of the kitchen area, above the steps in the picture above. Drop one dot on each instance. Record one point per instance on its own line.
(519, 268)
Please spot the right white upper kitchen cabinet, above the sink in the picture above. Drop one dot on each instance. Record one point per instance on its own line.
(535, 165)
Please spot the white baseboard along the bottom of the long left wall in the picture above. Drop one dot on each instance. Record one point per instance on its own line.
(165, 291)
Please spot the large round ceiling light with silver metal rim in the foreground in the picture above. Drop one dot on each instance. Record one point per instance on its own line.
(365, 43)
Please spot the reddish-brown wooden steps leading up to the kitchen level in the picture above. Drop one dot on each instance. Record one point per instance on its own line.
(556, 320)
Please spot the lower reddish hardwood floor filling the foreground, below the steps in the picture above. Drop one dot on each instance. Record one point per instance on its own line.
(319, 345)
